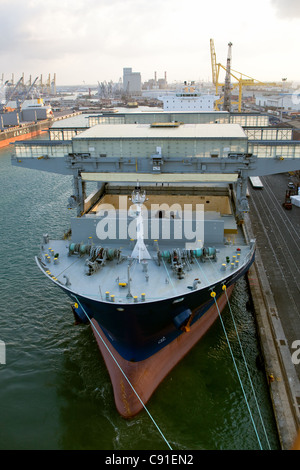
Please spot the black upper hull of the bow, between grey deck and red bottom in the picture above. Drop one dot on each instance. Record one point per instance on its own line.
(137, 331)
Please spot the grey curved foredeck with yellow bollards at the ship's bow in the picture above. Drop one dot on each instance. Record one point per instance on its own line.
(127, 280)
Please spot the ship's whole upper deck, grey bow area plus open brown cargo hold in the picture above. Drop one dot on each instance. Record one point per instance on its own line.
(110, 270)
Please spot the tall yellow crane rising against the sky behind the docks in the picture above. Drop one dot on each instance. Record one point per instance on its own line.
(240, 81)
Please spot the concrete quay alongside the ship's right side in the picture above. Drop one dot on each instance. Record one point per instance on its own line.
(274, 284)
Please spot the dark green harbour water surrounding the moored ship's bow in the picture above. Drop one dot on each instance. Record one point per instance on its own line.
(55, 392)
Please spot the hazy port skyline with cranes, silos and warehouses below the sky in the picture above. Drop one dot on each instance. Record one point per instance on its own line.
(29, 105)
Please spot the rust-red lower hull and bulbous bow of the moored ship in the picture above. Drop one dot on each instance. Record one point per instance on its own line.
(145, 376)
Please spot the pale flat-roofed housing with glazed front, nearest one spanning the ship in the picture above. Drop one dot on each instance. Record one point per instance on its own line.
(140, 140)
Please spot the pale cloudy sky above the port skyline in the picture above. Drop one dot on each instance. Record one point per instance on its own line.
(86, 41)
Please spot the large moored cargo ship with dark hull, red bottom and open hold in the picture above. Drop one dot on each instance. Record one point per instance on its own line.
(149, 301)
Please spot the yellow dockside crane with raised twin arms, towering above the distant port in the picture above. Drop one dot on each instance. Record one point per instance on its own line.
(240, 81)
